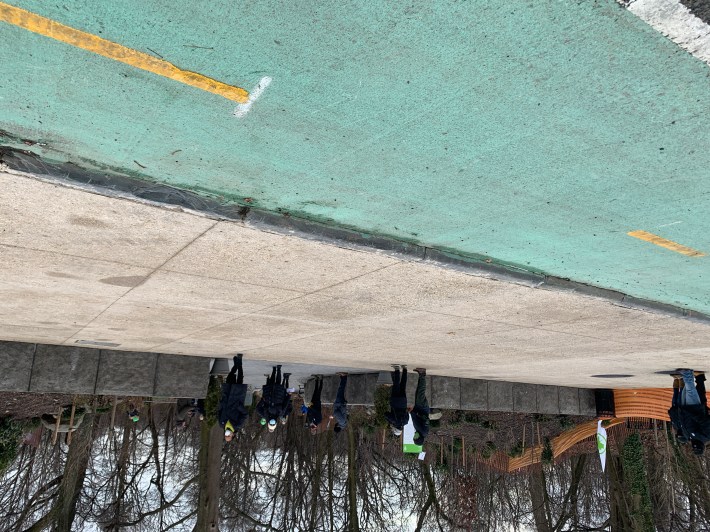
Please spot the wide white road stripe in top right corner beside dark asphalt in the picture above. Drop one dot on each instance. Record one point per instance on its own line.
(677, 22)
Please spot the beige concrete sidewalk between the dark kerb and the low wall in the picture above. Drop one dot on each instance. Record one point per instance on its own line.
(84, 270)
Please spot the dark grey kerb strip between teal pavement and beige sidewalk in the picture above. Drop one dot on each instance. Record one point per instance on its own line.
(27, 164)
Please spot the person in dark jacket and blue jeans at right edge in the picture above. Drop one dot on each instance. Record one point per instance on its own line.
(689, 413)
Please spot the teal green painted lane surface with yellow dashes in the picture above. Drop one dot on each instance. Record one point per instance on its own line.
(536, 134)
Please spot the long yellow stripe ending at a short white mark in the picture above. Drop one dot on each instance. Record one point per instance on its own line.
(92, 43)
